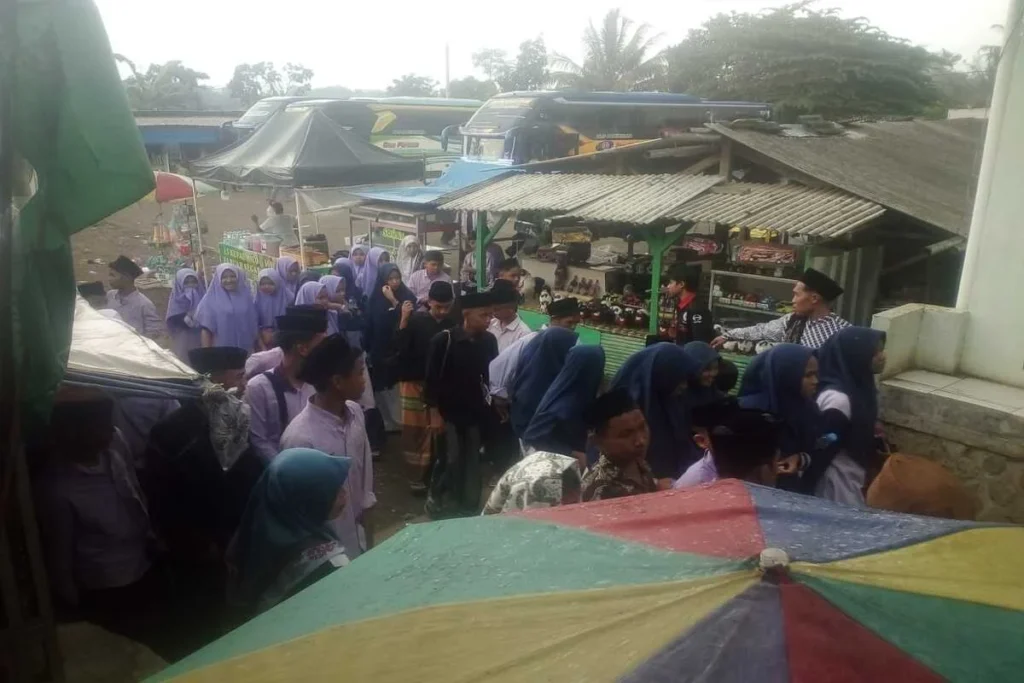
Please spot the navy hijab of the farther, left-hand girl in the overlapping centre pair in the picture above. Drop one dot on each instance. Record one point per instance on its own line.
(542, 360)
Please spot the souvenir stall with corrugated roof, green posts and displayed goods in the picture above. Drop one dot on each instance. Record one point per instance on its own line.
(613, 238)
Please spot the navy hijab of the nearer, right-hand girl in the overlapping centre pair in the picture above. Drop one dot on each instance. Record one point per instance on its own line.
(559, 425)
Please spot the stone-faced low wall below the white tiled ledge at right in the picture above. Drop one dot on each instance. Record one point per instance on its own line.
(982, 445)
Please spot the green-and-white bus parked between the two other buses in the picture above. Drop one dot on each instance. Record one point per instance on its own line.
(408, 126)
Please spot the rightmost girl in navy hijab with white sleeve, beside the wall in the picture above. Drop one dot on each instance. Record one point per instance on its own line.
(849, 399)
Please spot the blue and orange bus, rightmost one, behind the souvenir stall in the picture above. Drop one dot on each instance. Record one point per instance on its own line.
(520, 127)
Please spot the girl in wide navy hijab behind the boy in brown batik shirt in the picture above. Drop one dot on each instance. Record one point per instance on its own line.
(657, 379)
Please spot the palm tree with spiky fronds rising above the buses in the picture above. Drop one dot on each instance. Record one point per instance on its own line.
(617, 57)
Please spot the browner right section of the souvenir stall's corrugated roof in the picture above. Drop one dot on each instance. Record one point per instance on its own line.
(793, 209)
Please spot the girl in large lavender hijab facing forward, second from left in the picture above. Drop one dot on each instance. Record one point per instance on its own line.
(227, 314)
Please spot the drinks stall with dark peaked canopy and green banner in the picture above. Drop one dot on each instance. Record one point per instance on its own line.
(298, 150)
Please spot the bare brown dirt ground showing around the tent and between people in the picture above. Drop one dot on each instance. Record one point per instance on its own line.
(126, 233)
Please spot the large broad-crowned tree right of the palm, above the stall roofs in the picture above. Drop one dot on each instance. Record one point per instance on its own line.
(805, 62)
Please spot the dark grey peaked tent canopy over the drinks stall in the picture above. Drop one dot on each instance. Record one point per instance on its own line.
(306, 149)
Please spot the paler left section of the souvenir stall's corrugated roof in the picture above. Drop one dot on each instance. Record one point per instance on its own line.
(632, 199)
